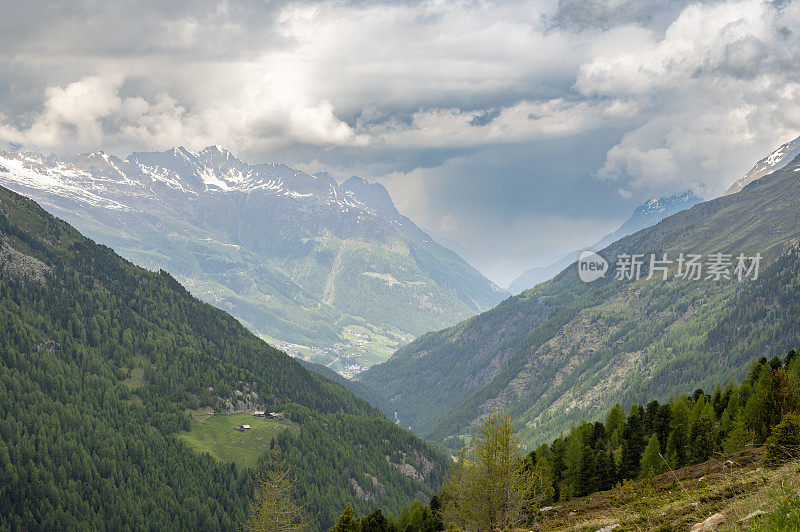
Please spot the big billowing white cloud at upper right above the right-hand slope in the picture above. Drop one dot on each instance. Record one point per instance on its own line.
(721, 79)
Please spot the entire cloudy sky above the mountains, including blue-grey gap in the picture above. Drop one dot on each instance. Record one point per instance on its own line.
(513, 131)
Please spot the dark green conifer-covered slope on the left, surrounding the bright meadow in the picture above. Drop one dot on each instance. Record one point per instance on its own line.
(86, 442)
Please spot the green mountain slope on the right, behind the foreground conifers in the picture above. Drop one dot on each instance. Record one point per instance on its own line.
(566, 349)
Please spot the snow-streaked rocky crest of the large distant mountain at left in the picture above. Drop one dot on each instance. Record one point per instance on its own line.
(99, 179)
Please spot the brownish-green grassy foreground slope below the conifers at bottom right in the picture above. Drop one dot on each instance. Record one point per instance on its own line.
(735, 486)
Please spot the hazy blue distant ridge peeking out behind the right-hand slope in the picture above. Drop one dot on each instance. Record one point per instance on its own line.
(646, 215)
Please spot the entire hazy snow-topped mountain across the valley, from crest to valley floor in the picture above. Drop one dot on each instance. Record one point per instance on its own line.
(332, 272)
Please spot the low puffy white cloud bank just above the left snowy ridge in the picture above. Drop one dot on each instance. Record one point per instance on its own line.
(91, 113)
